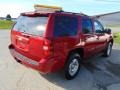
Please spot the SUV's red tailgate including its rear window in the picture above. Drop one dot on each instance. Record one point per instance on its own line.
(28, 35)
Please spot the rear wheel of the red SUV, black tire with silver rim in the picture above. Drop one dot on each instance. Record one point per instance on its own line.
(73, 66)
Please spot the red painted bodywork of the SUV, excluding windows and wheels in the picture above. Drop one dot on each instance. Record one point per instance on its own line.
(50, 53)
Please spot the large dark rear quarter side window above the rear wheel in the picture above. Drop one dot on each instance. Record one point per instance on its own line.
(65, 26)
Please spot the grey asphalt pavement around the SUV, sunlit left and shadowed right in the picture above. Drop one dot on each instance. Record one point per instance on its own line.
(99, 74)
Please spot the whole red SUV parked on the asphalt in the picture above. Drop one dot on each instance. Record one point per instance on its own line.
(49, 42)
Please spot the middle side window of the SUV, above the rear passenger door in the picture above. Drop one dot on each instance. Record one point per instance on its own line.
(87, 26)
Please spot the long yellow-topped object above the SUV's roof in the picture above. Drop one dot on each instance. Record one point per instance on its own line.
(44, 8)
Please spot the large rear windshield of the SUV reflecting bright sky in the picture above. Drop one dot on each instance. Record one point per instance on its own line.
(31, 25)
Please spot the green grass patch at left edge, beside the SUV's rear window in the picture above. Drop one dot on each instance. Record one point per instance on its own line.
(6, 24)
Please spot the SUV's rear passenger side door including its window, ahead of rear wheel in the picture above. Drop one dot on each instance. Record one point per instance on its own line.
(90, 39)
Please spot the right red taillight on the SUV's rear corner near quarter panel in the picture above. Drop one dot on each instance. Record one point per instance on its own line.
(48, 48)
